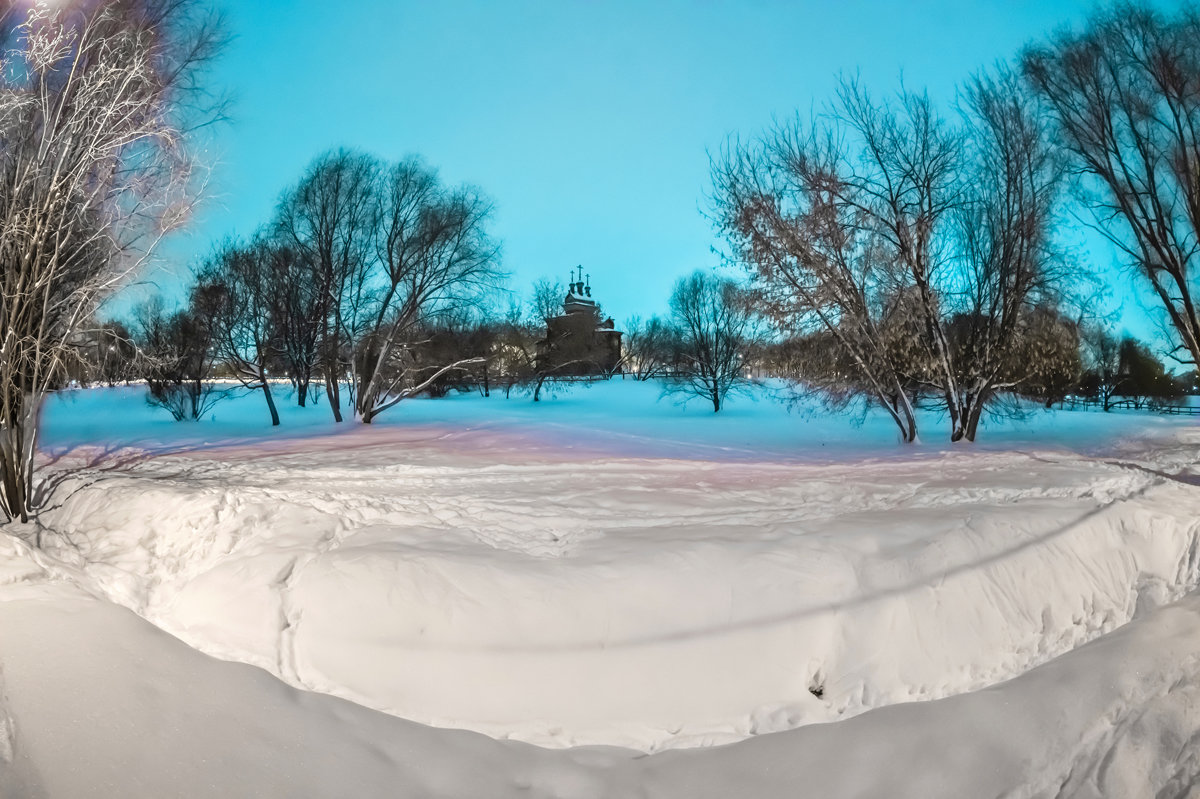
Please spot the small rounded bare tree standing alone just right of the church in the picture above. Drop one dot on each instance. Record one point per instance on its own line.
(715, 331)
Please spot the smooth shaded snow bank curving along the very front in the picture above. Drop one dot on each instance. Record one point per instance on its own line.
(145, 717)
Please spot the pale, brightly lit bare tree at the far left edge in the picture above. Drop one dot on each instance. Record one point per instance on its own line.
(94, 100)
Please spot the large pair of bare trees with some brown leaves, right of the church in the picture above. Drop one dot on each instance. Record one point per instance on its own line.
(916, 245)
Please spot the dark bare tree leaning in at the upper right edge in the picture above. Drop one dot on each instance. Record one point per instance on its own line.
(1125, 94)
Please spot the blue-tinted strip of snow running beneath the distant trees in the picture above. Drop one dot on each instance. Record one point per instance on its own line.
(621, 418)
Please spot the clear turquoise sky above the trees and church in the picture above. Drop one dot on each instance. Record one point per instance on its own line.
(587, 123)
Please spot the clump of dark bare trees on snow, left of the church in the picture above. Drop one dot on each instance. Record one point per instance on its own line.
(347, 289)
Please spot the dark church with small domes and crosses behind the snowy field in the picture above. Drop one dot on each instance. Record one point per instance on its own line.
(579, 343)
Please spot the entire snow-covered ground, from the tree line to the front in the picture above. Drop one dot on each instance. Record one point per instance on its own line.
(603, 570)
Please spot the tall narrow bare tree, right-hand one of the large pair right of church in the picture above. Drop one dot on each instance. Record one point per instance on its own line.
(1005, 265)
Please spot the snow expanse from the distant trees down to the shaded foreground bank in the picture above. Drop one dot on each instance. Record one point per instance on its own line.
(604, 569)
